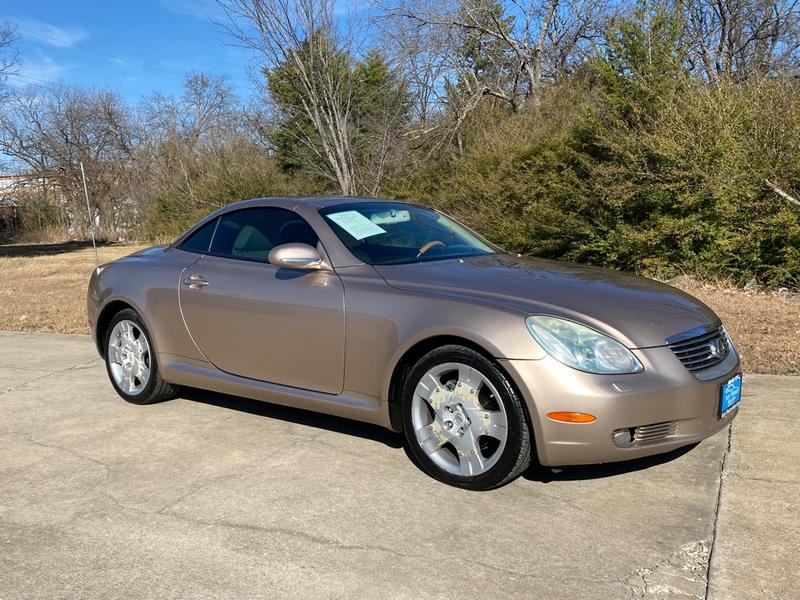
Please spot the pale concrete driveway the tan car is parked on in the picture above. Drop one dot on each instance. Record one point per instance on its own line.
(212, 496)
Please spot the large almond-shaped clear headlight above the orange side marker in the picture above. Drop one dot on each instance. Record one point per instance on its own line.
(581, 347)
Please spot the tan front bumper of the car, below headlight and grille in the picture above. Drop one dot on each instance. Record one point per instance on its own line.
(665, 392)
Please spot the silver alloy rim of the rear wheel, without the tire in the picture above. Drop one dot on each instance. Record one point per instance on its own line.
(129, 357)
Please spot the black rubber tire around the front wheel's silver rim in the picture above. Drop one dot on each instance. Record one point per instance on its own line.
(514, 457)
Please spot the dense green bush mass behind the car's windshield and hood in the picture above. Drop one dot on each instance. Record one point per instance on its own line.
(683, 192)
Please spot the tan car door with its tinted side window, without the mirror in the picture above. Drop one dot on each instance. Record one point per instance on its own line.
(255, 320)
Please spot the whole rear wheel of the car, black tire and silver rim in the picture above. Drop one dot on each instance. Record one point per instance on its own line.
(131, 361)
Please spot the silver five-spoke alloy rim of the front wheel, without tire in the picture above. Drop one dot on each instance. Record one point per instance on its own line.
(459, 420)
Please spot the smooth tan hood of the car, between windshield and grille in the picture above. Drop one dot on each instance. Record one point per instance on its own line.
(639, 312)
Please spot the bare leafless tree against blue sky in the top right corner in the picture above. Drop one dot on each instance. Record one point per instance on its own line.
(741, 38)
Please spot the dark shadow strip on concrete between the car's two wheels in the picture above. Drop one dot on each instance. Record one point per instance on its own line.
(295, 415)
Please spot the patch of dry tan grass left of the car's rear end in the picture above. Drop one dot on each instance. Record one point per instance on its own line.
(43, 286)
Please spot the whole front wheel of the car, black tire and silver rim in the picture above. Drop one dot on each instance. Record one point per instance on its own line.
(463, 420)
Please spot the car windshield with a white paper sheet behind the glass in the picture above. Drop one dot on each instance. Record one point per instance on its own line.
(391, 233)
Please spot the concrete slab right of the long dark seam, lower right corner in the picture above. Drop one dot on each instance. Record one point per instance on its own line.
(757, 549)
